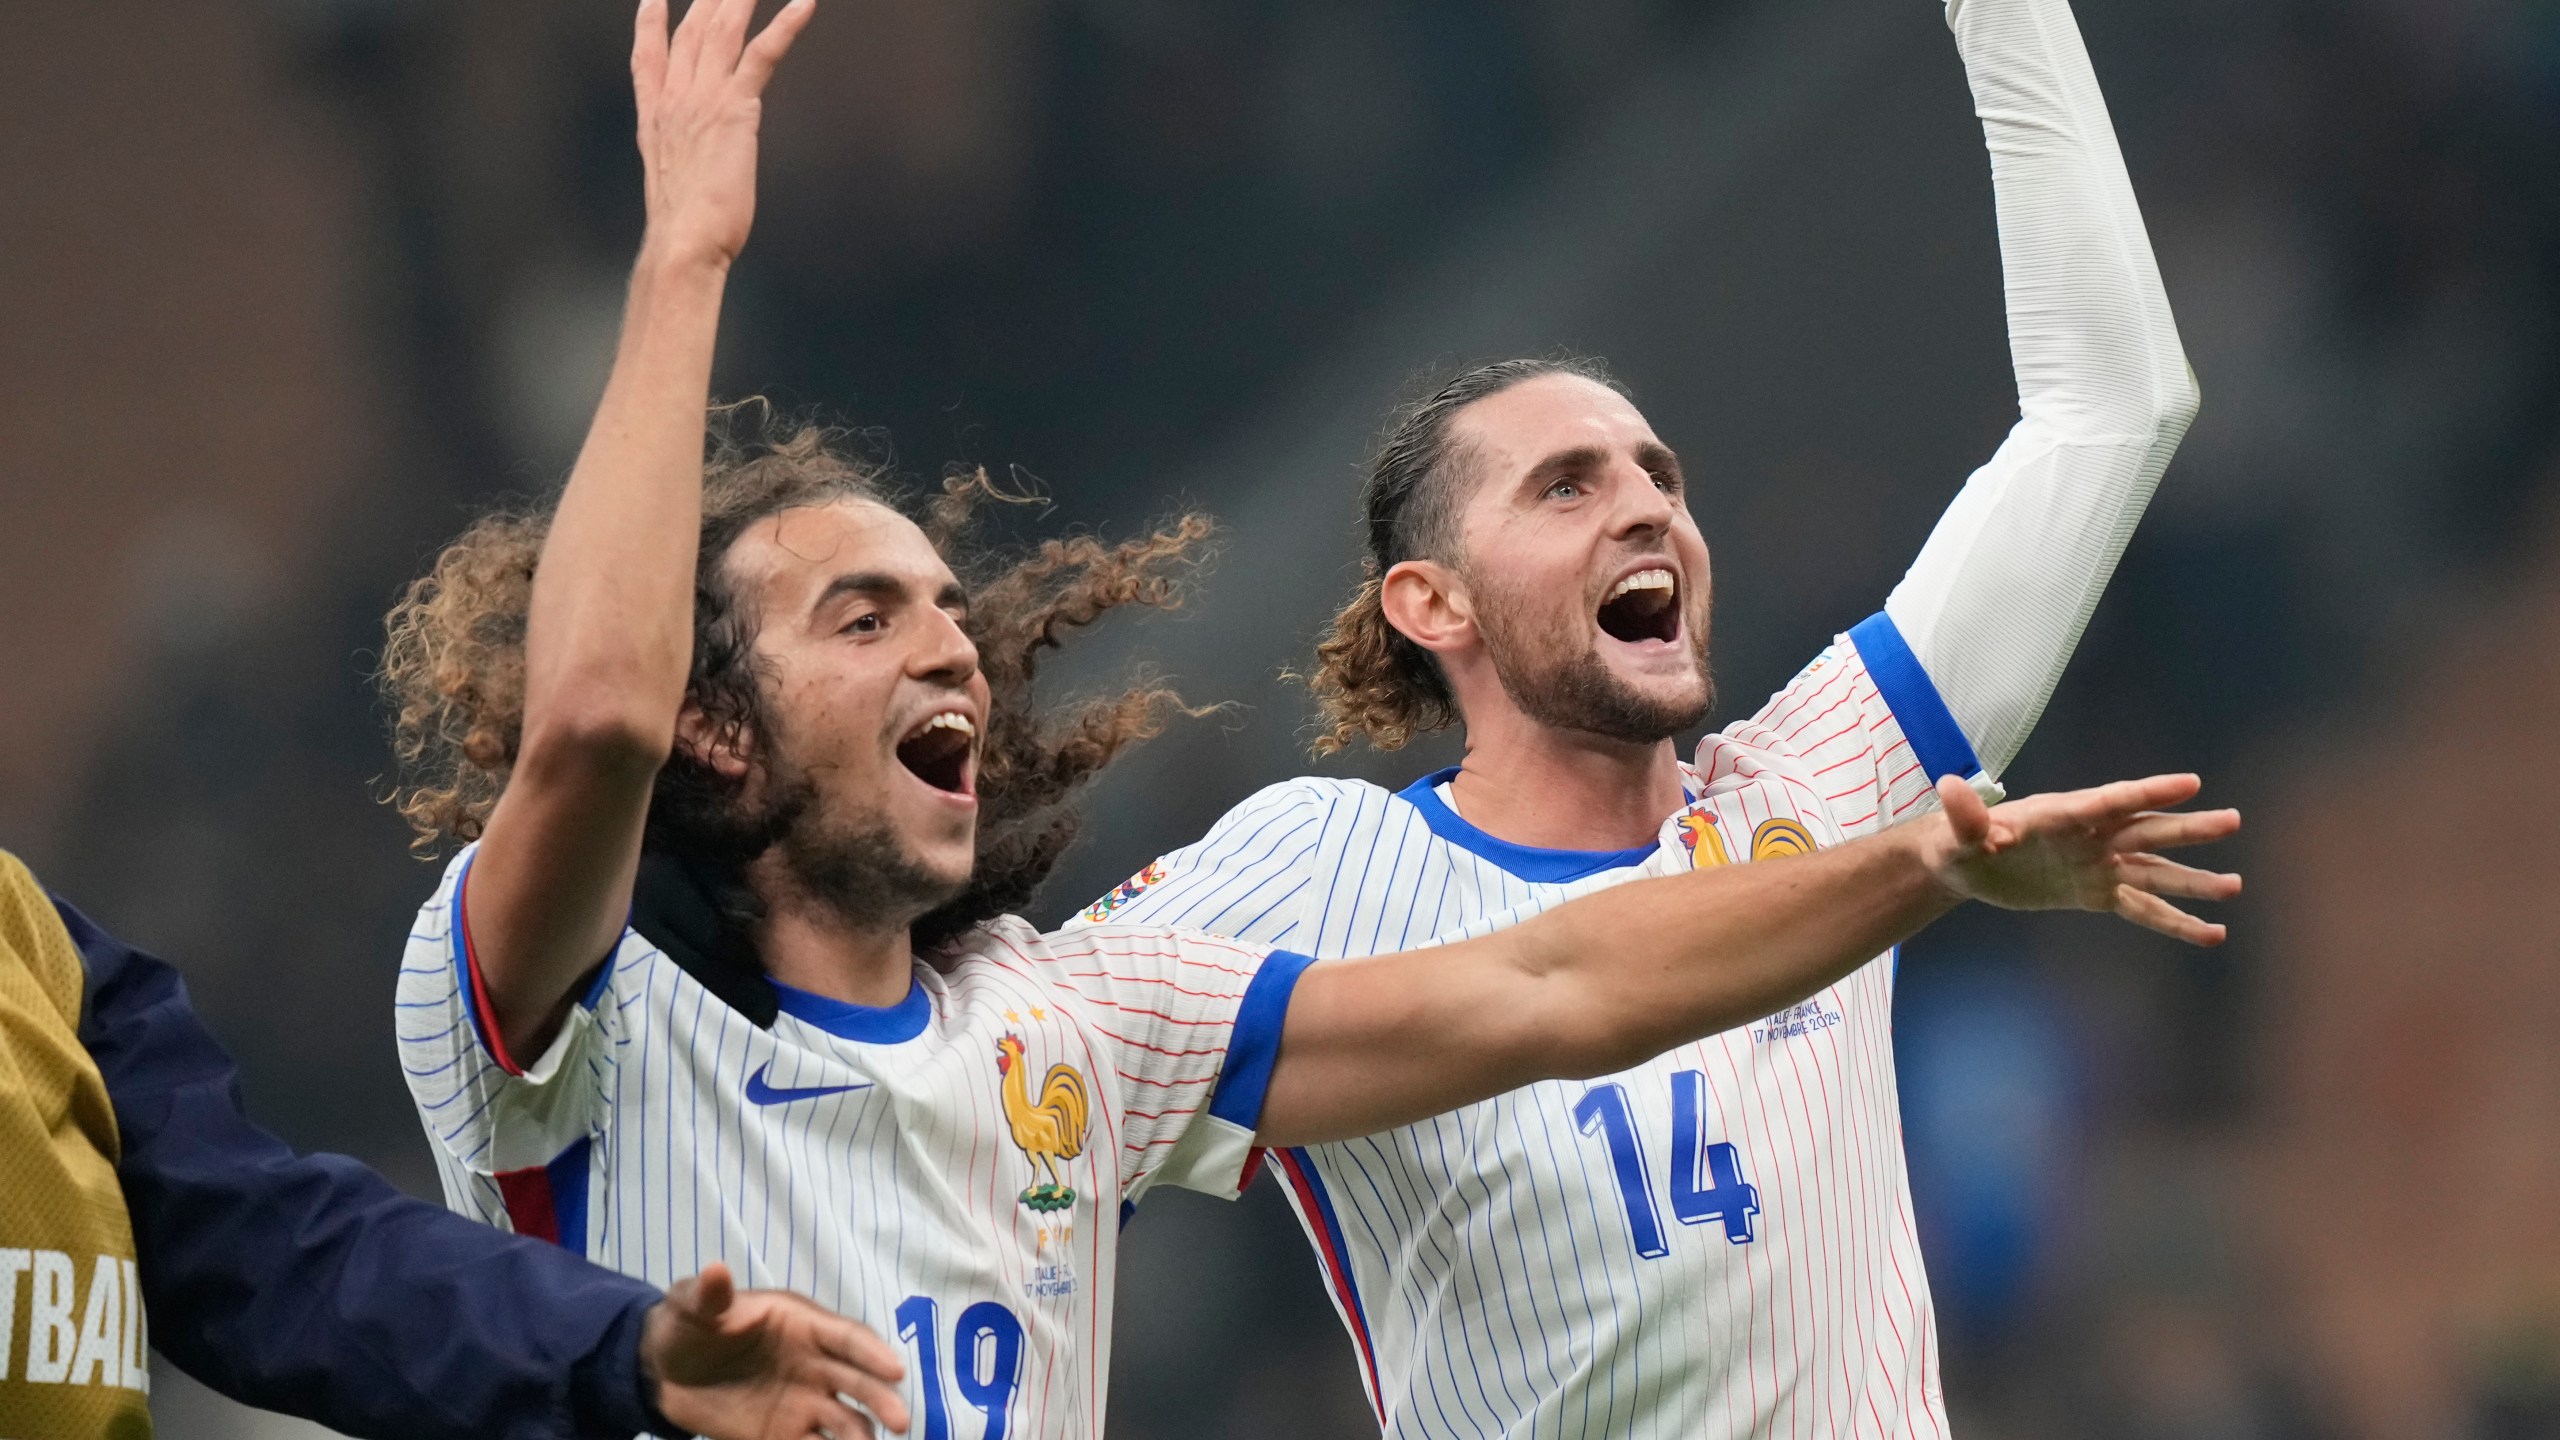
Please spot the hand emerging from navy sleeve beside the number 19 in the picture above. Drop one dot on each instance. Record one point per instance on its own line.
(767, 1364)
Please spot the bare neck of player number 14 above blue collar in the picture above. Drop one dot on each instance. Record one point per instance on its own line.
(1565, 790)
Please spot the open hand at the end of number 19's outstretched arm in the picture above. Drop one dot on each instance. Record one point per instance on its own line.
(2088, 849)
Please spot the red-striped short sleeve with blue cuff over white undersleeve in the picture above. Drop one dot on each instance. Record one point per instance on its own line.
(1862, 729)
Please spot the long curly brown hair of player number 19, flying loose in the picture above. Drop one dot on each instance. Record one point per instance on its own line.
(454, 665)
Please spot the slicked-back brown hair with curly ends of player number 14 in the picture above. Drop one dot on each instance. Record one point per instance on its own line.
(1371, 680)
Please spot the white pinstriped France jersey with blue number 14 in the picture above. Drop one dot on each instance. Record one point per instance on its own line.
(1716, 1244)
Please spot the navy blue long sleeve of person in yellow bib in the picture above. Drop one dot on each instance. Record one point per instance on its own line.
(311, 1285)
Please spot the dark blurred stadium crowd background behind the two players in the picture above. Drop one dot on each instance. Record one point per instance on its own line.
(293, 283)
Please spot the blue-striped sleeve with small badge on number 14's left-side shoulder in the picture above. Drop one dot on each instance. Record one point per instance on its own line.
(1248, 878)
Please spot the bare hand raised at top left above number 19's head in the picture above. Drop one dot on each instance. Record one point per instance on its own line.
(700, 96)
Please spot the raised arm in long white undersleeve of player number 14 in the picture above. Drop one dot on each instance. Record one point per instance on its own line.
(2006, 585)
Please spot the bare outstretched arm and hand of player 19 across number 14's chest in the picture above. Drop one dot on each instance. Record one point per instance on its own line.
(1619, 978)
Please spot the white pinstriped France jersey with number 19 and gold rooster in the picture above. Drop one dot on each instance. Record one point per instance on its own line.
(951, 1170)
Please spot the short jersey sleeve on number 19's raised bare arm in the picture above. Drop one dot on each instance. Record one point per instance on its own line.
(490, 1116)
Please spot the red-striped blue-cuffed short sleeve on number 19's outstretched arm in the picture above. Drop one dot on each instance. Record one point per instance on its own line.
(1192, 1029)
